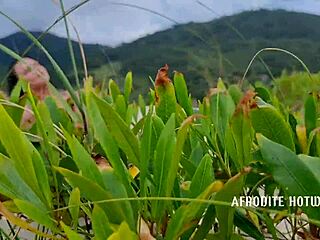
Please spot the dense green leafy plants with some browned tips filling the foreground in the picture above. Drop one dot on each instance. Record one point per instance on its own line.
(96, 164)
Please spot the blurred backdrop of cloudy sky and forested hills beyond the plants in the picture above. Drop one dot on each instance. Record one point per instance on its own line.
(203, 39)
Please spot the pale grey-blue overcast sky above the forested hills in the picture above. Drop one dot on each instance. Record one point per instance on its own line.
(101, 22)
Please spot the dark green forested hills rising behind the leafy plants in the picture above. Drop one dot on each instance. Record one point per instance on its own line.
(203, 51)
